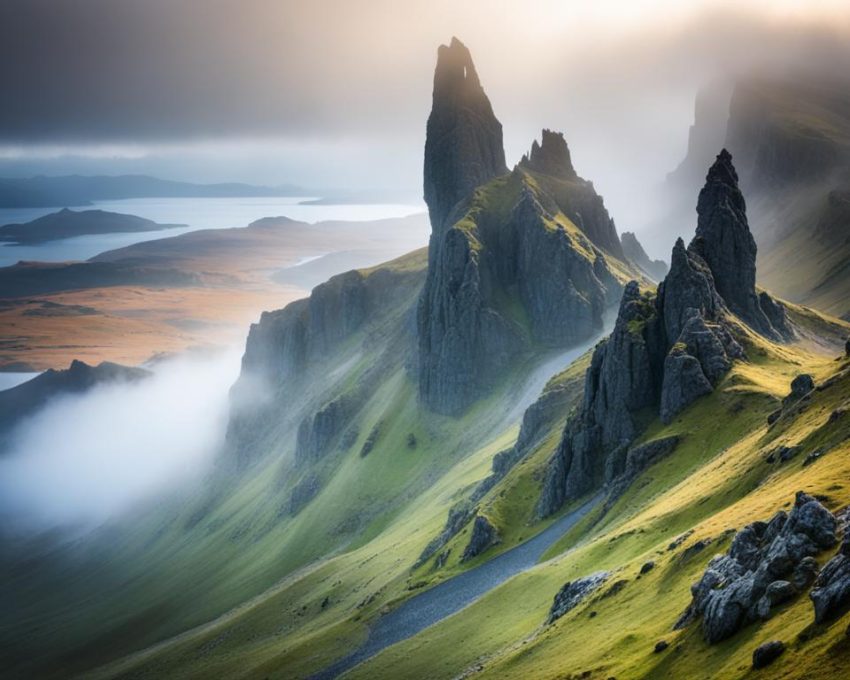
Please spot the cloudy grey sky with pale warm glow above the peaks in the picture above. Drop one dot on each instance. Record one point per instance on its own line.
(334, 93)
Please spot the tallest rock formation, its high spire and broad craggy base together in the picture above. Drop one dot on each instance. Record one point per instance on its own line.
(519, 261)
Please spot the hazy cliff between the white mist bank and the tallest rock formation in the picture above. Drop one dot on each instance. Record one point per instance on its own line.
(286, 376)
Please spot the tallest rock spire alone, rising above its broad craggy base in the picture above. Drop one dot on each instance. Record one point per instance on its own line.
(463, 146)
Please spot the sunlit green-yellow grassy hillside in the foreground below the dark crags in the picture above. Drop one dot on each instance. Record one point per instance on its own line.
(716, 480)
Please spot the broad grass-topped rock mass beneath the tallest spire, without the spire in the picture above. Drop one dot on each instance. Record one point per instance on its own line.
(512, 275)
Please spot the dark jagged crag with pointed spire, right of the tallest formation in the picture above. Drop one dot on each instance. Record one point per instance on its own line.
(667, 349)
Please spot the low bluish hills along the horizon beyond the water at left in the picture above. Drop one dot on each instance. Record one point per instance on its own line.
(44, 192)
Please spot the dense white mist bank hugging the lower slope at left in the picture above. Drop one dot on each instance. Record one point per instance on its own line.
(83, 460)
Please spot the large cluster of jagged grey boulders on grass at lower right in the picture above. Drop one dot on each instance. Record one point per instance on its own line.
(767, 564)
